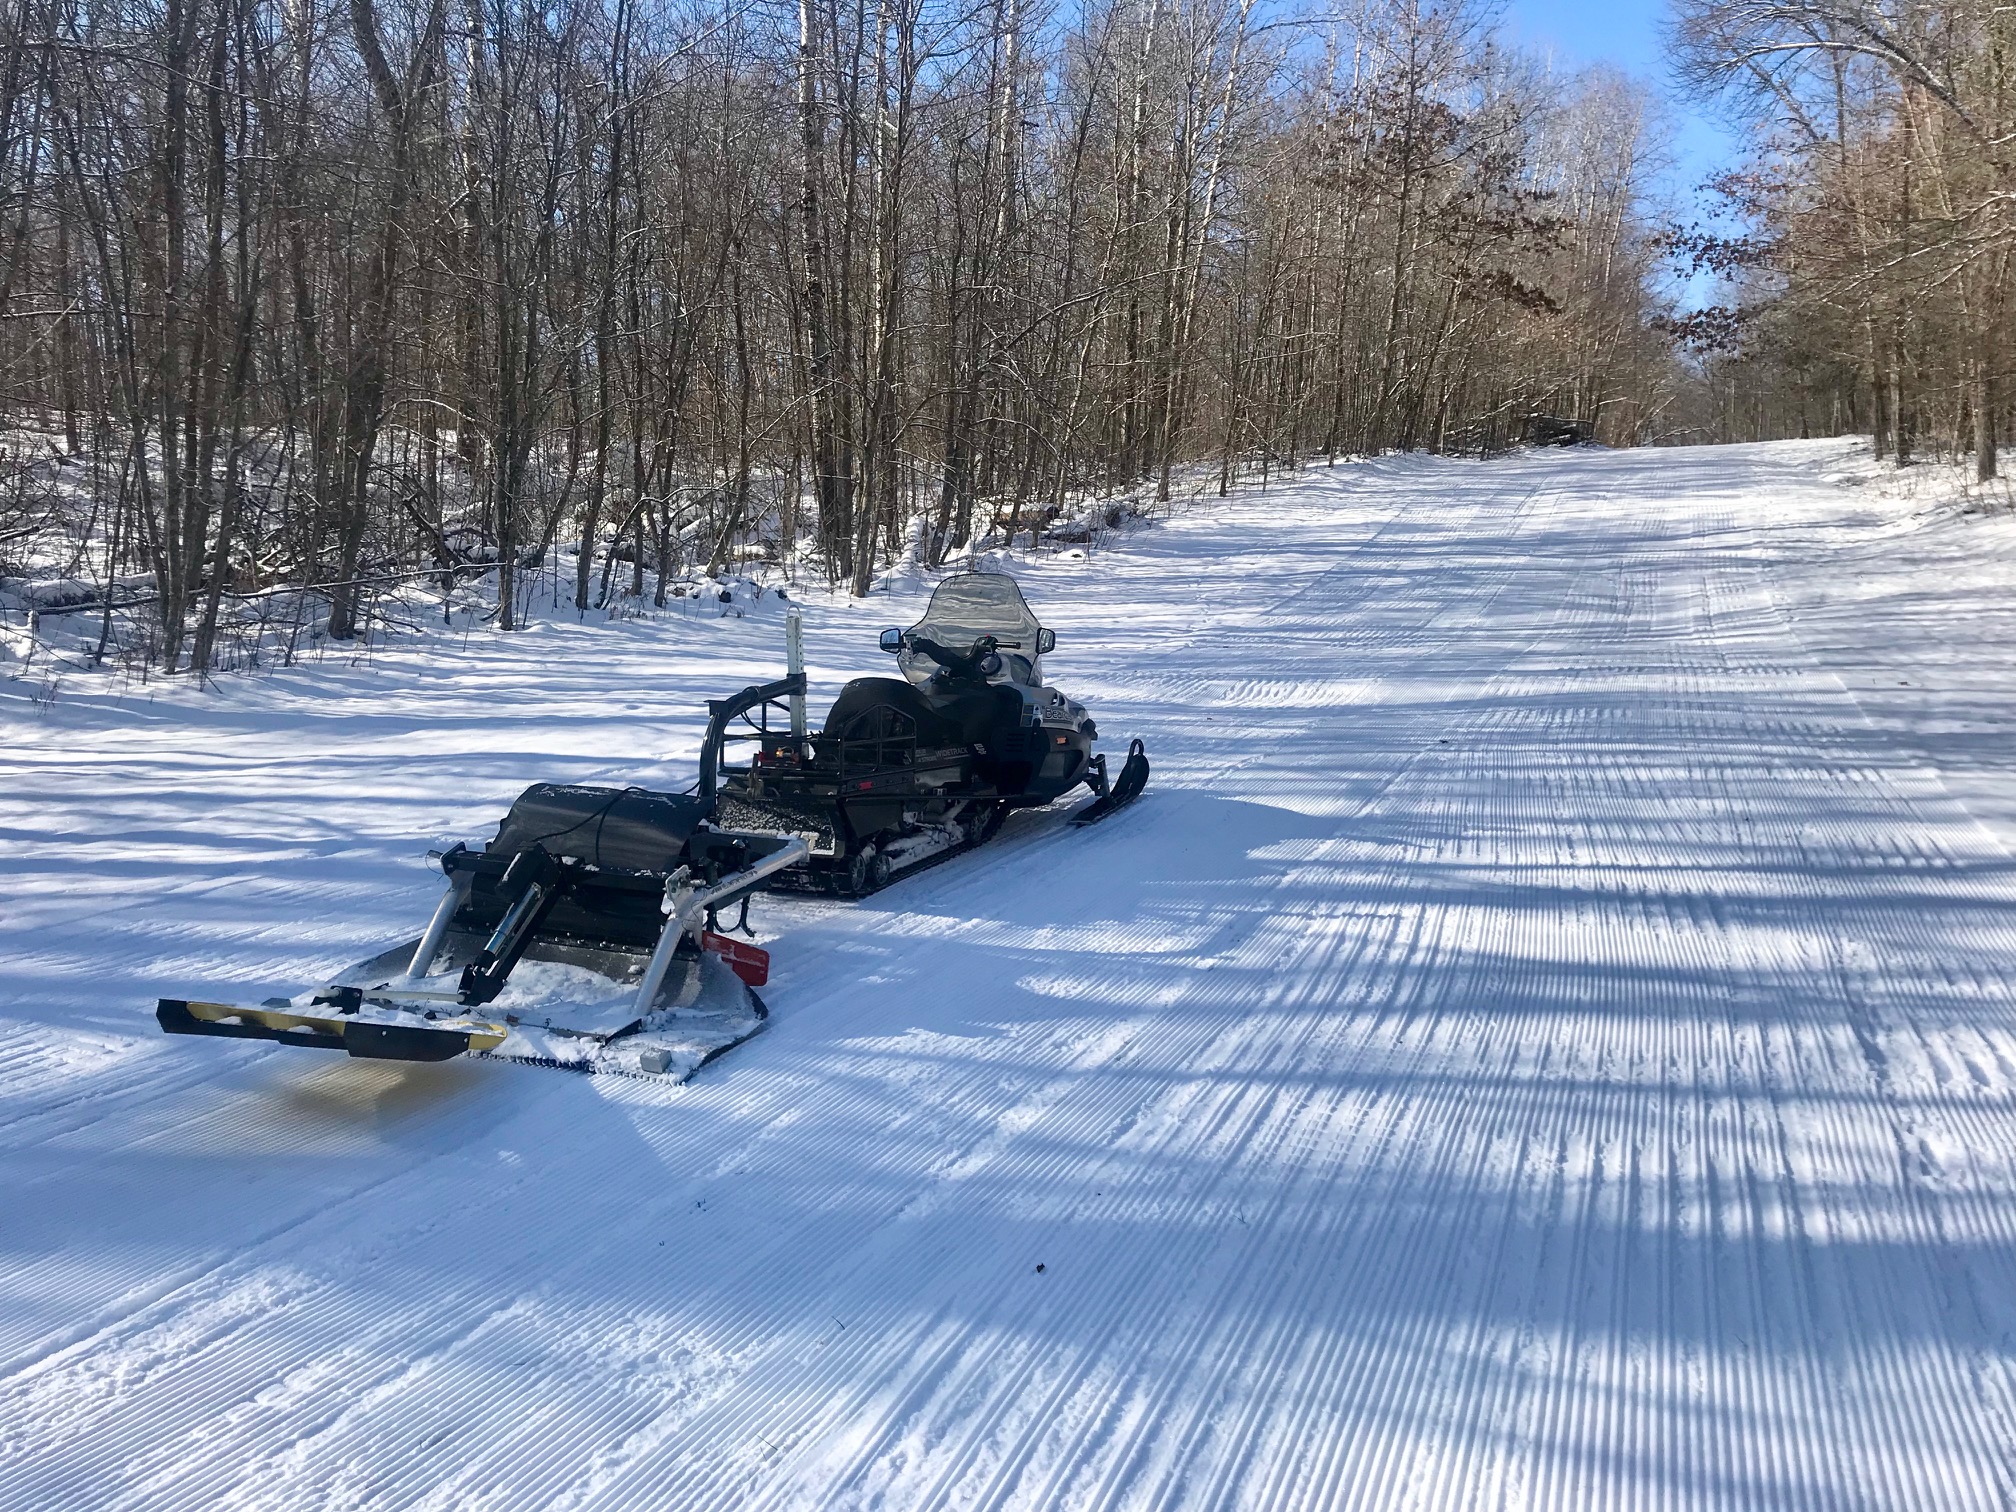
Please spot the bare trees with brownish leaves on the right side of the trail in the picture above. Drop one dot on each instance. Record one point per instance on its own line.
(1872, 283)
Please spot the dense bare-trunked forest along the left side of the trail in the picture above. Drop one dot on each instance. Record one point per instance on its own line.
(322, 295)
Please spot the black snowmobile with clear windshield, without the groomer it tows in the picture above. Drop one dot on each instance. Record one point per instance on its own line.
(910, 771)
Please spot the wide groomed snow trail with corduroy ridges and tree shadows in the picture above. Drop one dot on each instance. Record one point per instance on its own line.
(1535, 1045)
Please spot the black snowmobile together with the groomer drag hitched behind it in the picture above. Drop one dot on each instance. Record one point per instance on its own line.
(588, 932)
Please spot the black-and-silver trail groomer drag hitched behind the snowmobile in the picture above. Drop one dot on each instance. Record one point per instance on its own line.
(584, 936)
